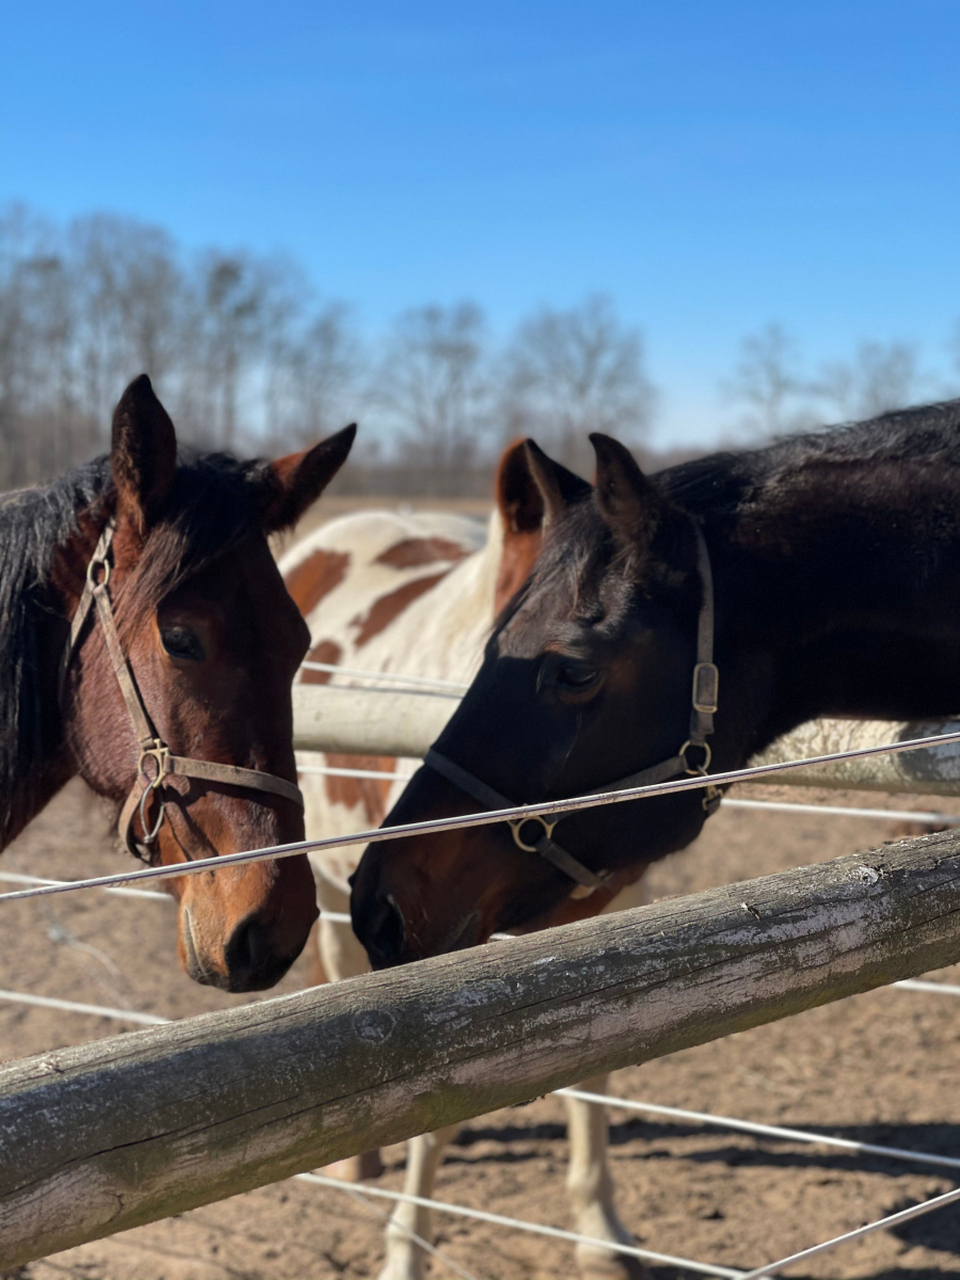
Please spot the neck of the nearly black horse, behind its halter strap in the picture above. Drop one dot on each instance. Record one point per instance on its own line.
(842, 600)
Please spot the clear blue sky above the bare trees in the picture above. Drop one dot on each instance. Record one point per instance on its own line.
(712, 166)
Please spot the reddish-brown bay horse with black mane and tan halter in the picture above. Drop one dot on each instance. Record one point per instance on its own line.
(149, 646)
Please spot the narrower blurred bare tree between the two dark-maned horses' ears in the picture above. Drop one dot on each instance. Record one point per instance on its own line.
(433, 386)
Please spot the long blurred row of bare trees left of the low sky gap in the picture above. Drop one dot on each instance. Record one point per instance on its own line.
(248, 356)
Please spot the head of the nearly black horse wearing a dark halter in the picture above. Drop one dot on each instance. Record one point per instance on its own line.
(587, 679)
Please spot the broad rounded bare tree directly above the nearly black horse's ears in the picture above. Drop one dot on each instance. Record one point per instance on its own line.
(570, 373)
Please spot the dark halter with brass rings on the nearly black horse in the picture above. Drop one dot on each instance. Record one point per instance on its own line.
(703, 708)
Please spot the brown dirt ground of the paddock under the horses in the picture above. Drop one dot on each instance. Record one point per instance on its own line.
(880, 1068)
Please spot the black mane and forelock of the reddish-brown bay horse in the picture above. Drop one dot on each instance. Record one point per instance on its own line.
(214, 502)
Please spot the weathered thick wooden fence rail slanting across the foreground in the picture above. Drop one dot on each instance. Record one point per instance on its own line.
(130, 1130)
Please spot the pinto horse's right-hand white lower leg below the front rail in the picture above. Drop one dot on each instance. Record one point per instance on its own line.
(592, 1191)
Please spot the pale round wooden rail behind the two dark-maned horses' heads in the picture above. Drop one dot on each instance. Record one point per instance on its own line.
(405, 724)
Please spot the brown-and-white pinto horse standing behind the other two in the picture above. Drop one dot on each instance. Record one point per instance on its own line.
(418, 595)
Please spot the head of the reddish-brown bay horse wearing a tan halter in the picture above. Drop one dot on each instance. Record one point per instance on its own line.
(211, 641)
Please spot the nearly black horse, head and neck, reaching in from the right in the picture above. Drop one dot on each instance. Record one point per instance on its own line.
(836, 580)
